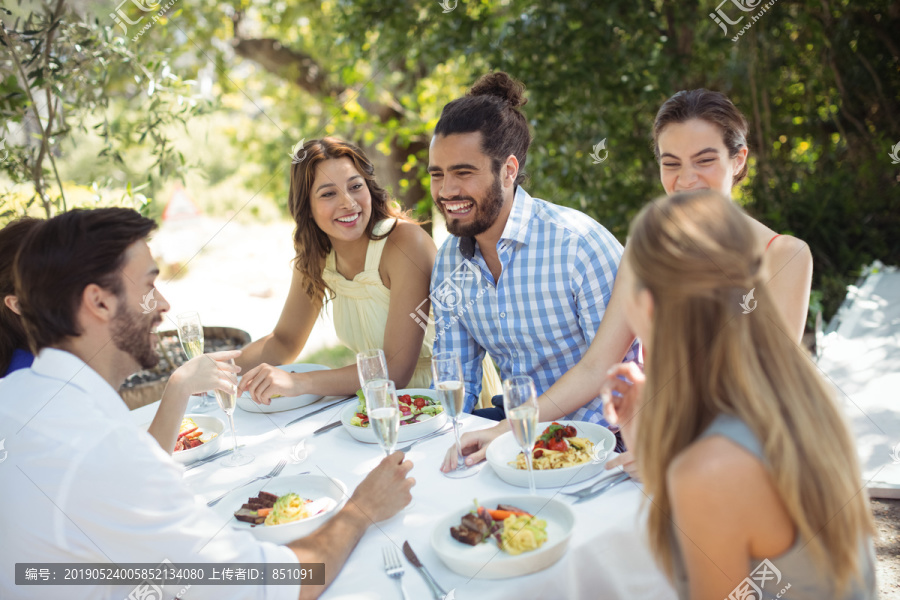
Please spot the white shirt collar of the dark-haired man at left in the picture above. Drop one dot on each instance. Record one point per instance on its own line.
(71, 370)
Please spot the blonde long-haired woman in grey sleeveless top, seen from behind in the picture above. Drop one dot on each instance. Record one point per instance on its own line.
(739, 442)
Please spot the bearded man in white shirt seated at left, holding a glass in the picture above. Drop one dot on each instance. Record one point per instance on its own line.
(79, 482)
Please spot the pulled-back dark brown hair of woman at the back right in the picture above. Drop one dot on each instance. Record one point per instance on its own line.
(713, 107)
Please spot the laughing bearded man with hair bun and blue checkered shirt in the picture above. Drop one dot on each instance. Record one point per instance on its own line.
(523, 279)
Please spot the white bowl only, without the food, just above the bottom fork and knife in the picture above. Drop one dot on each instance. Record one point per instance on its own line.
(487, 561)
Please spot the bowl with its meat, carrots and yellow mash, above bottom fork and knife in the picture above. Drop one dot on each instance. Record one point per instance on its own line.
(541, 529)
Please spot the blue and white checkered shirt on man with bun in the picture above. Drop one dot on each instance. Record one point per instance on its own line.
(558, 269)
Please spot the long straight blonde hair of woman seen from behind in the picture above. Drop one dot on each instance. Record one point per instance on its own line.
(695, 254)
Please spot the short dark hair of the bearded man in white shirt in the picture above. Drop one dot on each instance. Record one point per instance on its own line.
(63, 256)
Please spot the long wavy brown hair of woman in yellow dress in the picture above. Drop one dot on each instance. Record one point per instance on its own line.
(311, 245)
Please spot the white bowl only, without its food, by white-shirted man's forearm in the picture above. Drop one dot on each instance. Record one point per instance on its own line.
(315, 487)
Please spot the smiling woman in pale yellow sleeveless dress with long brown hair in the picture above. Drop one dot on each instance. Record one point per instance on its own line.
(356, 249)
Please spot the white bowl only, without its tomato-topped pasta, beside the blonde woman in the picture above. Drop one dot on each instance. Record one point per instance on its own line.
(505, 449)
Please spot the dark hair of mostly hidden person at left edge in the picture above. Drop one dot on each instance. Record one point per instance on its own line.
(12, 332)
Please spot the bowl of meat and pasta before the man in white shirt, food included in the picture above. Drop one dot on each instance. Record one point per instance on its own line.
(284, 509)
